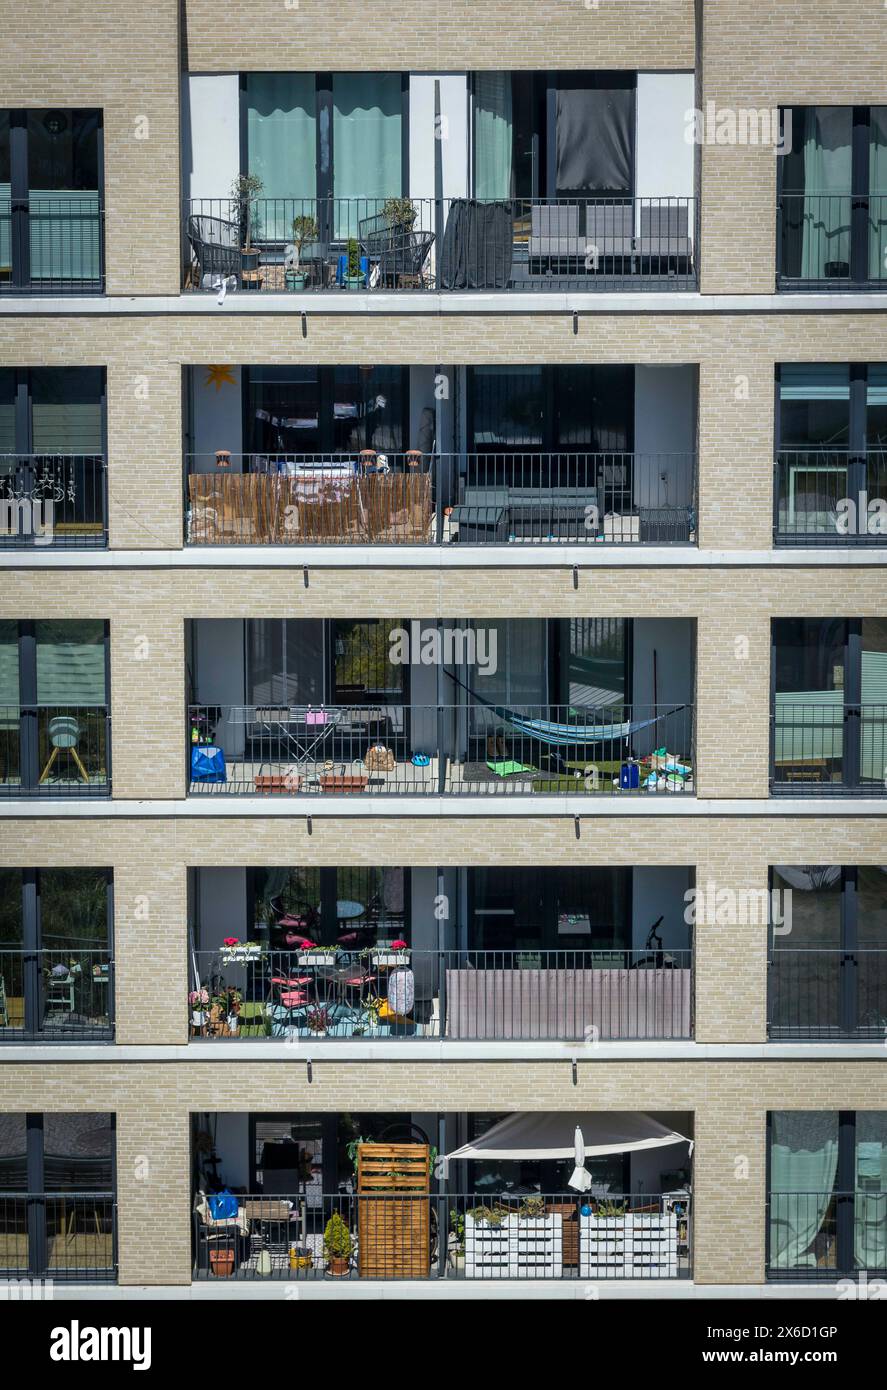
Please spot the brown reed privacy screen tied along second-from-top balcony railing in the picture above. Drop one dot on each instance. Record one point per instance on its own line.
(272, 509)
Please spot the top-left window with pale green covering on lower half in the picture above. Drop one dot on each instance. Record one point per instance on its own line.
(51, 201)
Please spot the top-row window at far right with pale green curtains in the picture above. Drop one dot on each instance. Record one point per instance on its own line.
(833, 194)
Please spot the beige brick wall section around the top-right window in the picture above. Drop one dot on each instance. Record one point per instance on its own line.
(764, 56)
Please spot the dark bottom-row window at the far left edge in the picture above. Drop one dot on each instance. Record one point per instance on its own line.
(62, 1227)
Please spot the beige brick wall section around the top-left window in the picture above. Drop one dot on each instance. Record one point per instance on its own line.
(124, 59)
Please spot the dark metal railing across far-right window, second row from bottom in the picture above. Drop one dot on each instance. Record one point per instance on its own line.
(821, 993)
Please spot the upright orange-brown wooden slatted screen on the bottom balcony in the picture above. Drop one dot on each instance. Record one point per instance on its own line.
(394, 1220)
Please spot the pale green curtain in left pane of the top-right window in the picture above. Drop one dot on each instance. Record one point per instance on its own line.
(827, 142)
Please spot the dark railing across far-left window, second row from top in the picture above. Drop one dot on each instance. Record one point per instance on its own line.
(54, 500)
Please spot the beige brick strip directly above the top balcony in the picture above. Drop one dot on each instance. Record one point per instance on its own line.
(280, 35)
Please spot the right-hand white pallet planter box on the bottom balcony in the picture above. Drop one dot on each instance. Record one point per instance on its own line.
(640, 1246)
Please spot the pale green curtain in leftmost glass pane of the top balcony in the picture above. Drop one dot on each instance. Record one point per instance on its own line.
(282, 148)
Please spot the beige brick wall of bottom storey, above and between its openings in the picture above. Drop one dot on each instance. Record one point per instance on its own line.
(154, 1104)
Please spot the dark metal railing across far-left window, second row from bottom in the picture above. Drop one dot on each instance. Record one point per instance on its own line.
(56, 996)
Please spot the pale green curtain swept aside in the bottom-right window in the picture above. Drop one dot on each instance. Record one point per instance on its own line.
(804, 1163)
